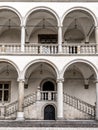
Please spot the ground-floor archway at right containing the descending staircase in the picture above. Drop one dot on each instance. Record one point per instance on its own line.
(79, 85)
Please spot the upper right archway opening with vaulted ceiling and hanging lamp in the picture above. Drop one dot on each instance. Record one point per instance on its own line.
(79, 26)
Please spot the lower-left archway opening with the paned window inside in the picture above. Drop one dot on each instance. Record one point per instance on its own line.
(9, 73)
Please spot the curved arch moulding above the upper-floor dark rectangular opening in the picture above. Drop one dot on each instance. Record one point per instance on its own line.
(42, 8)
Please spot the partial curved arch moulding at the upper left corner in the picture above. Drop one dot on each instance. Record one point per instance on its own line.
(13, 10)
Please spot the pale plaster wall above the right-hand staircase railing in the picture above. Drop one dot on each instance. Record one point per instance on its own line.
(74, 86)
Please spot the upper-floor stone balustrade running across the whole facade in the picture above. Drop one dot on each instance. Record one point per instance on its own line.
(48, 49)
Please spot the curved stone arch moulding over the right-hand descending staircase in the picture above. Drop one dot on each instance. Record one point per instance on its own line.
(83, 61)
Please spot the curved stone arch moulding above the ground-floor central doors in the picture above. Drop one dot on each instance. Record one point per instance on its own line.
(40, 60)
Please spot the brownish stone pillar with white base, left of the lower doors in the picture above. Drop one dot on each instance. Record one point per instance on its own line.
(20, 113)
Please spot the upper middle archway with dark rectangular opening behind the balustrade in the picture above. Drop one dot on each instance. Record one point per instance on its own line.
(41, 24)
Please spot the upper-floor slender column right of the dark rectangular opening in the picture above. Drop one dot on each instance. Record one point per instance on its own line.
(60, 39)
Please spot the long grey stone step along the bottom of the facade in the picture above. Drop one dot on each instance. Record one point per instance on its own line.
(31, 123)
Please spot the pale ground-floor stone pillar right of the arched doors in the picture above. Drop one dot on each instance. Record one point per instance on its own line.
(60, 114)
